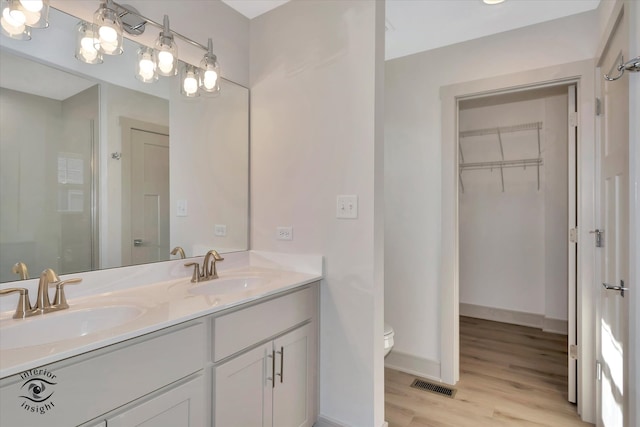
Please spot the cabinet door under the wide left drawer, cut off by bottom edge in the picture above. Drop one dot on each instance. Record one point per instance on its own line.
(179, 406)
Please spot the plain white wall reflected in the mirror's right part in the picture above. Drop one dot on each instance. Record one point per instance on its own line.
(217, 148)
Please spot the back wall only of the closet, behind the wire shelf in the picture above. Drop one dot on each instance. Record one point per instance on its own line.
(502, 233)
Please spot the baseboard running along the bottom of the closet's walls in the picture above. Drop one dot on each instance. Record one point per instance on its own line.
(533, 320)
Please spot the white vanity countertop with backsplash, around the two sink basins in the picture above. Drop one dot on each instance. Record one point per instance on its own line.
(162, 304)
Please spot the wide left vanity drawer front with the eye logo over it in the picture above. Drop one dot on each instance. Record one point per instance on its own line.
(88, 386)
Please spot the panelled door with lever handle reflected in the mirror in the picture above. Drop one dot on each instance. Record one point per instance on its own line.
(149, 196)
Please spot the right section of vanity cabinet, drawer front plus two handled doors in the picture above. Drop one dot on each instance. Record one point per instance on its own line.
(273, 383)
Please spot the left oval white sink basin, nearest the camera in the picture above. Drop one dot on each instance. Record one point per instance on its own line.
(64, 325)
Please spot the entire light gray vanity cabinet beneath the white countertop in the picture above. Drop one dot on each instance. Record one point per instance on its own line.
(215, 369)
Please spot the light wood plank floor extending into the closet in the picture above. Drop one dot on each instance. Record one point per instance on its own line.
(509, 376)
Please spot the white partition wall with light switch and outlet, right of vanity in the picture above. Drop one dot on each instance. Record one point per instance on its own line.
(316, 70)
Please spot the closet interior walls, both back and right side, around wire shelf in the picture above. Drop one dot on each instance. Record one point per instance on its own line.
(513, 244)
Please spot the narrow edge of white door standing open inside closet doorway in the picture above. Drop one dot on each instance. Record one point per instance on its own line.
(572, 258)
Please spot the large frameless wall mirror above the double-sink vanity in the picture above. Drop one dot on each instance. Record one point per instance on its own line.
(100, 170)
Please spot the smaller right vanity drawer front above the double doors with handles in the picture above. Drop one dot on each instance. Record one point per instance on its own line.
(240, 329)
